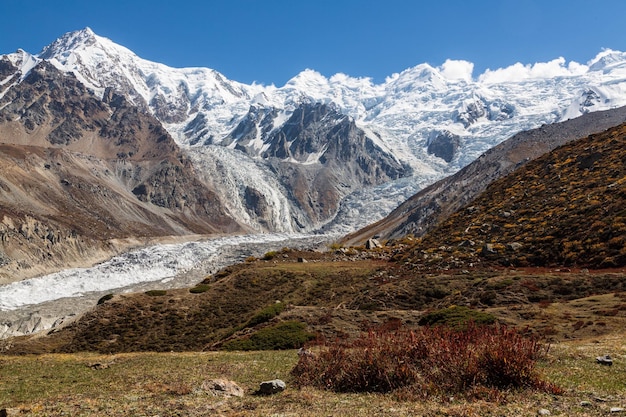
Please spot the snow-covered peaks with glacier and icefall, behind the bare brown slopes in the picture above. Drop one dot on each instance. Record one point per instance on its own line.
(269, 147)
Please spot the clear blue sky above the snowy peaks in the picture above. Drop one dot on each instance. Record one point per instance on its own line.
(271, 41)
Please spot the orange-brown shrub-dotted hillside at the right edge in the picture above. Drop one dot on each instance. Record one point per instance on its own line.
(565, 208)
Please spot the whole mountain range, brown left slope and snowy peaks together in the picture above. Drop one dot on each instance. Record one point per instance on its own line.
(122, 147)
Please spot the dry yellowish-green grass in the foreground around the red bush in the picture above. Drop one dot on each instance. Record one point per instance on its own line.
(168, 384)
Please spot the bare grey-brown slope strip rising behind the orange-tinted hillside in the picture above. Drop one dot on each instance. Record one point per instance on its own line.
(435, 203)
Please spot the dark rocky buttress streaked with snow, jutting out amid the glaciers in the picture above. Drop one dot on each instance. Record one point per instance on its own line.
(318, 155)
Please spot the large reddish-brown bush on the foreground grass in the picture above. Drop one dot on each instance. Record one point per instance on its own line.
(430, 361)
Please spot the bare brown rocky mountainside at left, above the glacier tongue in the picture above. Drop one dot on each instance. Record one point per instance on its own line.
(79, 171)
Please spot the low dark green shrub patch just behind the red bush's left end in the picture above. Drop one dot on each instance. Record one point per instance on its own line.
(285, 335)
